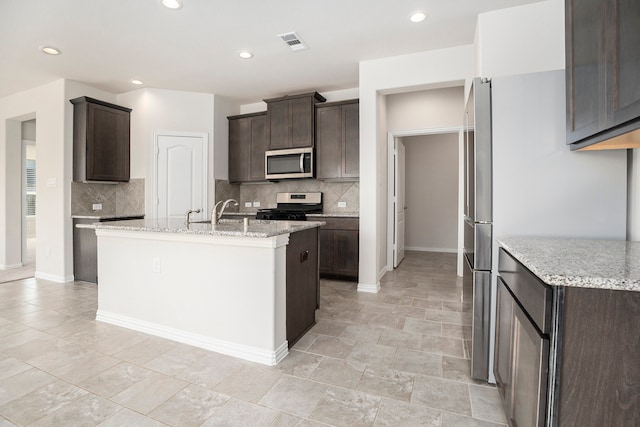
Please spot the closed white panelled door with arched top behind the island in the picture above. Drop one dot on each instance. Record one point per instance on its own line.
(181, 175)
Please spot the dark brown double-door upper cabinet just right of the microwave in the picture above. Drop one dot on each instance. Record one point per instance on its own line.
(338, 140)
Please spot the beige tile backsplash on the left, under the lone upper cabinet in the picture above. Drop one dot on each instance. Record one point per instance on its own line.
(126, 198)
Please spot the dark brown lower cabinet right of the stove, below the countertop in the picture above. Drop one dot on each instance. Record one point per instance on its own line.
(339, 248)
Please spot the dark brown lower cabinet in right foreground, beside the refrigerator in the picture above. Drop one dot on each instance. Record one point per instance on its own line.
(565, 356)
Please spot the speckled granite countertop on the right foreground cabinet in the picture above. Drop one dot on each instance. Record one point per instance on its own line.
(602, 264)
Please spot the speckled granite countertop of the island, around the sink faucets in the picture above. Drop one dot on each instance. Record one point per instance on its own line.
(256, 228)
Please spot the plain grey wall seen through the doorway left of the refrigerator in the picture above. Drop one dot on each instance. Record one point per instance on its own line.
(431, 192)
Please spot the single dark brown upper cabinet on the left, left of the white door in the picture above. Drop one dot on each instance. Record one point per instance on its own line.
(101, 144)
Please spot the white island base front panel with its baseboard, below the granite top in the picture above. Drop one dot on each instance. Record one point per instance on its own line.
(220, 293)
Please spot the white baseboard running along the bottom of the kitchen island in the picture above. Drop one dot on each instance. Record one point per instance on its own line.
(240, 351)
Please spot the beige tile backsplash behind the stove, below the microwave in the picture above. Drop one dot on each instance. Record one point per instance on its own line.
(265, 194)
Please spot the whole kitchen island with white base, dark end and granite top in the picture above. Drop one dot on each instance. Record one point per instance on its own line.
(227, 288)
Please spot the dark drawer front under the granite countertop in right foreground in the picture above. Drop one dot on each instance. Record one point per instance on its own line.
(529, 291)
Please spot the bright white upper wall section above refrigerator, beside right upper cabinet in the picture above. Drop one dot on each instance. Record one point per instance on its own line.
(519, 40)
